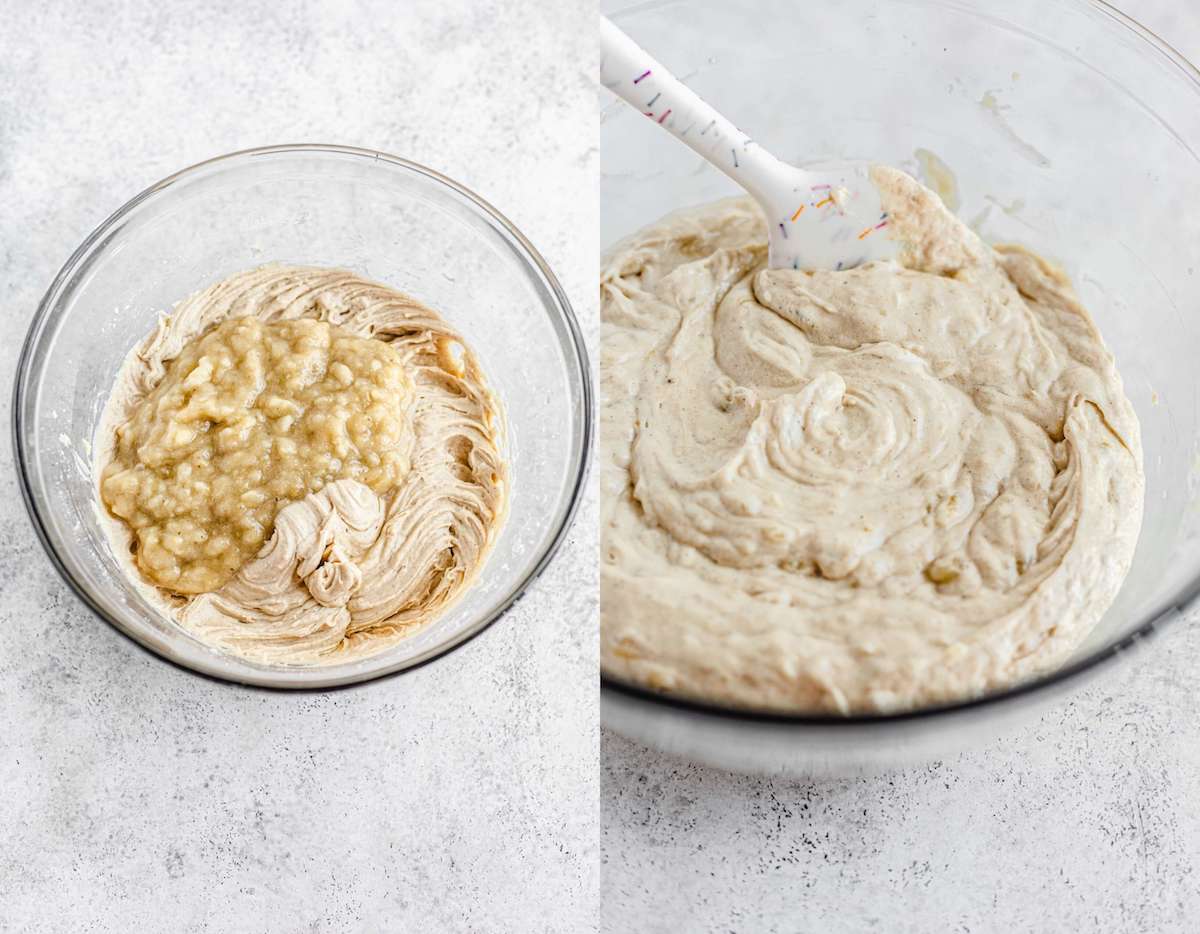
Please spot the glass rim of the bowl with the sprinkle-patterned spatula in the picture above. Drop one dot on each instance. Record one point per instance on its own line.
(1069, 676)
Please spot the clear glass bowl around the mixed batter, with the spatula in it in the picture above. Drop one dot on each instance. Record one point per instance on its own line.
(1067, 128)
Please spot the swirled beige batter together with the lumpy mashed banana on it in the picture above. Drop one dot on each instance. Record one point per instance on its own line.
(357, 451)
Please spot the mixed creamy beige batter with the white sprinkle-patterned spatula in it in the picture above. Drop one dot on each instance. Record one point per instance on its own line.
(854, 492)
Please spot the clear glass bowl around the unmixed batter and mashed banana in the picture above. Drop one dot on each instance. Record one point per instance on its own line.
(386, 218)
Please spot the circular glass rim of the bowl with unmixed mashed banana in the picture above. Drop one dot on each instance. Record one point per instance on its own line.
(574, 346)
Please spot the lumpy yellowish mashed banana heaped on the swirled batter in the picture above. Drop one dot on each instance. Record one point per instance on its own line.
(250, 417)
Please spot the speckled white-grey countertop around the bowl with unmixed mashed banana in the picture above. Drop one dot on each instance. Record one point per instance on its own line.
(139, 798)
